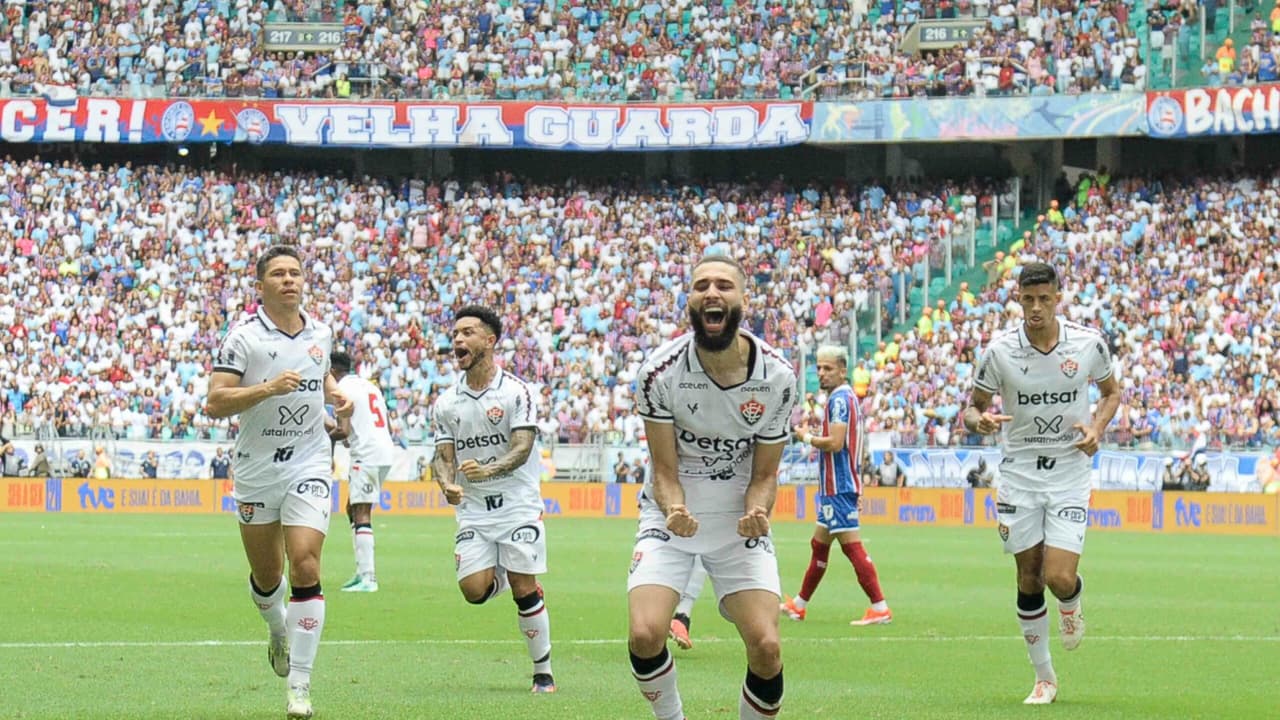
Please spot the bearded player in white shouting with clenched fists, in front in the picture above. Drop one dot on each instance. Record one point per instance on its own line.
(716, 407)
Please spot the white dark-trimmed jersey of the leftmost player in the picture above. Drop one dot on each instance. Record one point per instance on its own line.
(284, 438)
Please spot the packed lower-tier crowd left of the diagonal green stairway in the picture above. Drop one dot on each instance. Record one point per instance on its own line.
(117, 282)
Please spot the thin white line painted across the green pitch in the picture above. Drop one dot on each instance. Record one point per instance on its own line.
(620, 641)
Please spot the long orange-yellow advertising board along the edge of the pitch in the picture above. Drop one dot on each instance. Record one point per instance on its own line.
(950, 508)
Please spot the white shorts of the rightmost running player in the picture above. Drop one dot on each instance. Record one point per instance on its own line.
(1028, 518)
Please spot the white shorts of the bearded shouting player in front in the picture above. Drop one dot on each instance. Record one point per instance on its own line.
(733, 563)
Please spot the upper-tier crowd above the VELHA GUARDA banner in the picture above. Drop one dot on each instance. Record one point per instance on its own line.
(574, 51)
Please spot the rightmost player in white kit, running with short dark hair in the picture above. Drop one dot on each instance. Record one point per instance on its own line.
(1043, 372)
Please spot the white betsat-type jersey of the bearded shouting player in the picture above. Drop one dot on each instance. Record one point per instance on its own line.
(717, 429)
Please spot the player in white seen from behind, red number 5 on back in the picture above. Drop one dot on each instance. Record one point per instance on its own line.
(372, 455)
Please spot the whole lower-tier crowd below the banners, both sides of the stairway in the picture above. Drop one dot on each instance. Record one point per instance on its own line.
(117, 282)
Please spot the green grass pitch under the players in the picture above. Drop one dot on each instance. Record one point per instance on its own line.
(143, 617)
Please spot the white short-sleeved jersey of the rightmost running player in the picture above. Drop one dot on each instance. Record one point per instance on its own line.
(1046, 394)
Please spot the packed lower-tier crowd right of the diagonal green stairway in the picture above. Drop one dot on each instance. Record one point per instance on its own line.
(1183, 277)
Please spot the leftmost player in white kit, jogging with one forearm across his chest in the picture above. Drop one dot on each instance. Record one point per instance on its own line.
(273, 372)
